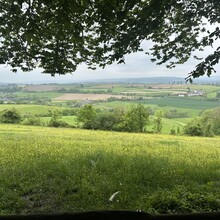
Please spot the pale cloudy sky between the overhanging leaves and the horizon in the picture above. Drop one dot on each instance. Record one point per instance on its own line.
(137, 65)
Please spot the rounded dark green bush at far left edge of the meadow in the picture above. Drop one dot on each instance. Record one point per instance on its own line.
(11, 116)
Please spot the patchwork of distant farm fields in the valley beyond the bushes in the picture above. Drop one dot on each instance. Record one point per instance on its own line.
(42, 100)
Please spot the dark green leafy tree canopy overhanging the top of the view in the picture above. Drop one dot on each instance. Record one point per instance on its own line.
(59, 35)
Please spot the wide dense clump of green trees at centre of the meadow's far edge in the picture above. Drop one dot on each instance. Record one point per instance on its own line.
(133, 120)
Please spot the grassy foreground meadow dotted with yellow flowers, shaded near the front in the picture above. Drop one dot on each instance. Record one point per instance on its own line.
(48, 170)
